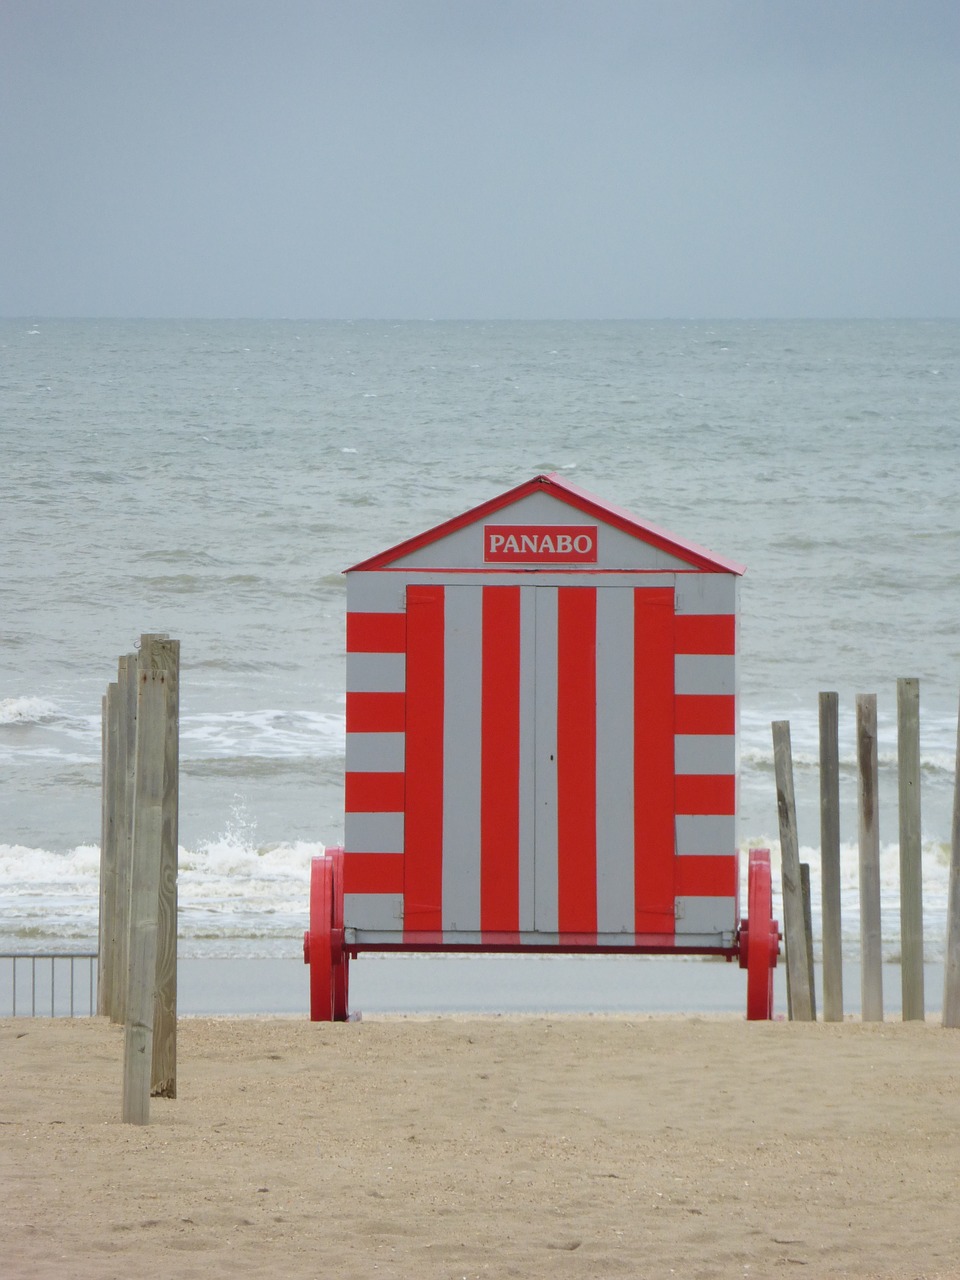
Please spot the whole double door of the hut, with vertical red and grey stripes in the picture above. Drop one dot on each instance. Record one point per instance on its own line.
(540, 767)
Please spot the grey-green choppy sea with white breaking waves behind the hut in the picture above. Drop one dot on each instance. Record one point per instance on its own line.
(213, 481)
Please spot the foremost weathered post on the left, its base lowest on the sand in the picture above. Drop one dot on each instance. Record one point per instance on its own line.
(145, 895)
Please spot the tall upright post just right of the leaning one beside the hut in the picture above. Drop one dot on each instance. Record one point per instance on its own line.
(830, 861)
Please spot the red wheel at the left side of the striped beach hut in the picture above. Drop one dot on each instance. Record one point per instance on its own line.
(323, 943)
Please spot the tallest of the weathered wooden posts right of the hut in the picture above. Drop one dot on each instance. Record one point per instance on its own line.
(911, 852)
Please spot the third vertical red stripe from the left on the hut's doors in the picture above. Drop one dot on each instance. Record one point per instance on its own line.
(577, 760)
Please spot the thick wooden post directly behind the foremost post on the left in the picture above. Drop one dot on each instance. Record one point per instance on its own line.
(161, 653)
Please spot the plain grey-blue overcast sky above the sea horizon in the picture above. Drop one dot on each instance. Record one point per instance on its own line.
(481, 158)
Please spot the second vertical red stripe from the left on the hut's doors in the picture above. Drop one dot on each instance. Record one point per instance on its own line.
(500, 762)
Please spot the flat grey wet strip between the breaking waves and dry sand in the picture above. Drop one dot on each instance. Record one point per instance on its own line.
(478, 985)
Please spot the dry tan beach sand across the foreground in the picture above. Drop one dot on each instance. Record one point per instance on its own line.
(488, 1148)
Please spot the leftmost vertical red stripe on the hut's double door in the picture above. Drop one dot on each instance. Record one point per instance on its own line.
(423, 840)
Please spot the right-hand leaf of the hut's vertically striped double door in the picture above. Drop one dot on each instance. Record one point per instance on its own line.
(605, 834)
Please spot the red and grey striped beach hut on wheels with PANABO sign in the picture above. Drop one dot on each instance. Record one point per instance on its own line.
(542, 740)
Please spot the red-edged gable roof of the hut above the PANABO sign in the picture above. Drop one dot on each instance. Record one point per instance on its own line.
(693, 555)
